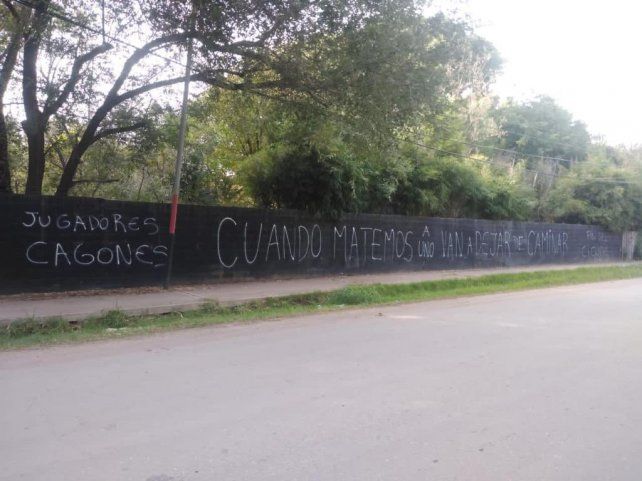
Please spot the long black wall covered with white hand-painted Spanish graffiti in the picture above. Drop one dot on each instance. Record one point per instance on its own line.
(51, 244)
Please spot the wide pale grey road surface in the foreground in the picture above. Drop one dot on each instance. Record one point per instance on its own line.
(539, 385)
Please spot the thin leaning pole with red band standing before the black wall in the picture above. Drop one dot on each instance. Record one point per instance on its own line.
(179, 165)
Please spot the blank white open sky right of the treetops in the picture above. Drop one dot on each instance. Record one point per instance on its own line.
(587, 55)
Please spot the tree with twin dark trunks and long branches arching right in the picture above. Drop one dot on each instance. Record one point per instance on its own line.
(254, 46)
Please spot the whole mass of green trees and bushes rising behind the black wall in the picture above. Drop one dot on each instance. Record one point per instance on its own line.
(330, 107)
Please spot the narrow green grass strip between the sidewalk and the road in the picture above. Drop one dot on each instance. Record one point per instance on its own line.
(115, 324)
